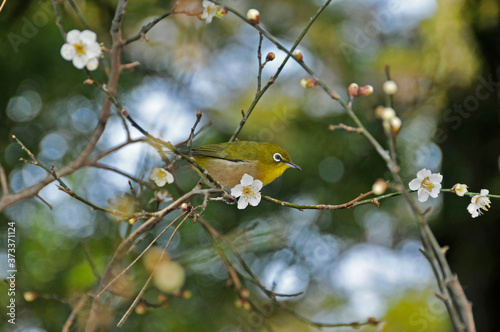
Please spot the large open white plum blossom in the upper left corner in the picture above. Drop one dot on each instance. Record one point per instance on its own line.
(82, 48)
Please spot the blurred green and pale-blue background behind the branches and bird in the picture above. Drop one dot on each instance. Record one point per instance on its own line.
(348, 264)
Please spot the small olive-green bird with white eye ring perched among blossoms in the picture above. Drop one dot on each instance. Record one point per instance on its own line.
(228, 162)
